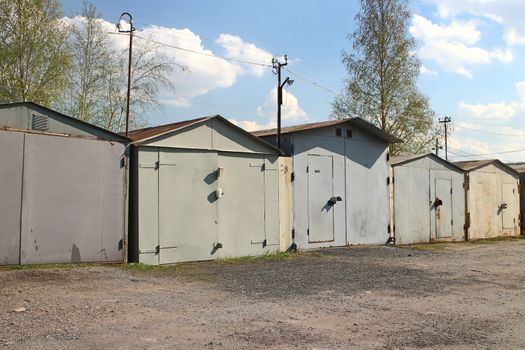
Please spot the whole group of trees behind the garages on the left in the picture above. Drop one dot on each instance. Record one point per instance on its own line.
(73, 65)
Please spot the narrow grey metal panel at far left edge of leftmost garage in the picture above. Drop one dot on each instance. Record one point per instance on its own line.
(11, 168)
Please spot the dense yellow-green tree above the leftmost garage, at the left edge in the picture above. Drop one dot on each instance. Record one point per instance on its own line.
(34, 57)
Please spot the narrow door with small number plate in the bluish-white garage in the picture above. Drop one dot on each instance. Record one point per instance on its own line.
(320, 196)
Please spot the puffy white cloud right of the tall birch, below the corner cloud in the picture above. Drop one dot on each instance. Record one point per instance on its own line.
(452, 45)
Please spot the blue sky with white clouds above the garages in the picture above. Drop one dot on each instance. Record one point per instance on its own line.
(471, 53)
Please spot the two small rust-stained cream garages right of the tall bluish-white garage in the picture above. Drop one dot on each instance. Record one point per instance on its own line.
(434, 200)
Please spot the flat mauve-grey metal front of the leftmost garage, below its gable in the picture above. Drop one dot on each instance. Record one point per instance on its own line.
(72, 192)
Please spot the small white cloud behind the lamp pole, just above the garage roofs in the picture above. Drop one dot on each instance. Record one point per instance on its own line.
(289, 111)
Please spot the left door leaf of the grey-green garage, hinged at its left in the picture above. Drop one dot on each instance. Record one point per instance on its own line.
(187, 205)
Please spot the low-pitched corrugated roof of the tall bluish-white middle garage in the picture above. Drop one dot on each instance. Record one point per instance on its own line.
(363, 124)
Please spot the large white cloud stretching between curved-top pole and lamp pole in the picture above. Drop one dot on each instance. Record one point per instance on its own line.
(205, 71)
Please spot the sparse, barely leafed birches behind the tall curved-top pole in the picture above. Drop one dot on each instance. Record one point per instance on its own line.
(98, 85)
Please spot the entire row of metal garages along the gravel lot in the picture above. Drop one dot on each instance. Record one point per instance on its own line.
(205, 189)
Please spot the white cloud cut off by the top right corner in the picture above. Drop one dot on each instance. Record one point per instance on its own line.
(508, 13)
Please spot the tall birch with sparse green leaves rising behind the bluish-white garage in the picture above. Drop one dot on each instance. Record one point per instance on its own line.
(383, 68)
